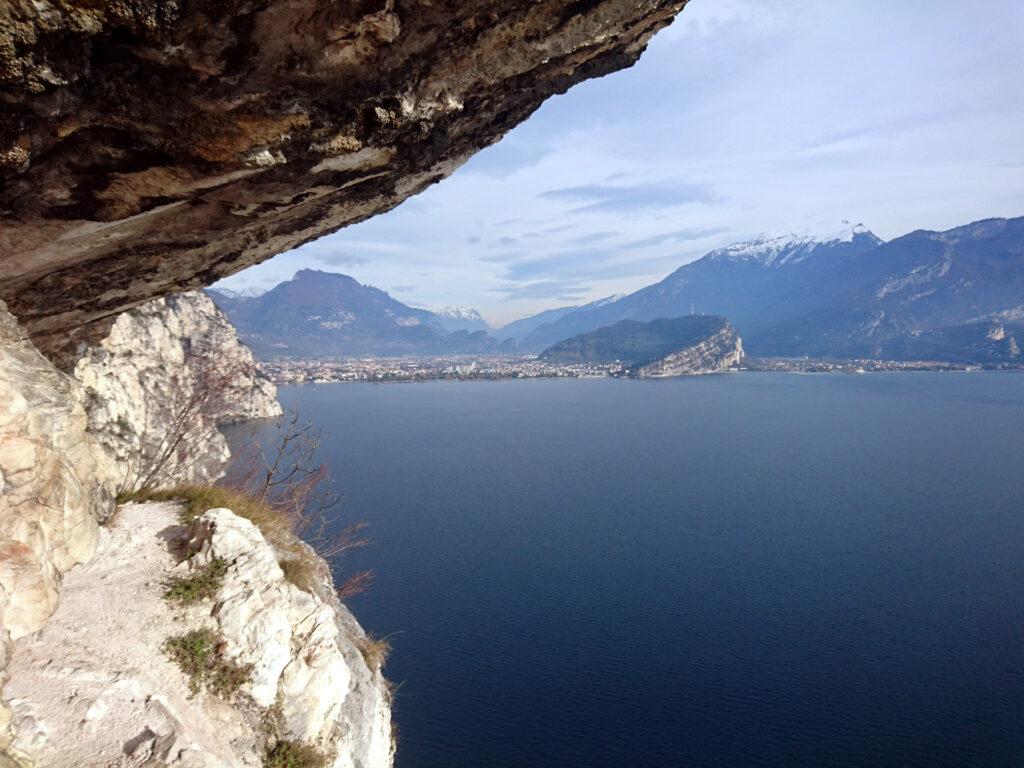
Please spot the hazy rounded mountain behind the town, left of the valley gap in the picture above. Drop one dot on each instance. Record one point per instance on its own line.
(326, 315)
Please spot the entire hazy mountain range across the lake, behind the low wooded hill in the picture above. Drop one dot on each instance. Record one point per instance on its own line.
(956, 295)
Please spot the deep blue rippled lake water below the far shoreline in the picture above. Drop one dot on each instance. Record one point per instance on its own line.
(753, 570)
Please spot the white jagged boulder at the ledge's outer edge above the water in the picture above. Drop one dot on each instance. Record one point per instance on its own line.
(303, 647)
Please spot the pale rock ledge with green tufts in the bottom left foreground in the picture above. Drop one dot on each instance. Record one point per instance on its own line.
(97, 689)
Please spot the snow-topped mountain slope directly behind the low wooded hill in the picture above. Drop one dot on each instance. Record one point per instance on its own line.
(754, 284)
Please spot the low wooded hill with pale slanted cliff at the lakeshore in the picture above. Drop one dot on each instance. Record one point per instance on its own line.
(694, 344)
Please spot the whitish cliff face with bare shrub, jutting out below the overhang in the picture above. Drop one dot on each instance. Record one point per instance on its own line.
(159, 385)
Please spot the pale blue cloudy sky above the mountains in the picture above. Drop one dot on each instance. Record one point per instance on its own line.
(745, 117)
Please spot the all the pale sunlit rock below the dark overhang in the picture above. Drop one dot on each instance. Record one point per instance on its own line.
(95, 685)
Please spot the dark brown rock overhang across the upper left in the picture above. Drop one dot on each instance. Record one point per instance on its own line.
(154, 147)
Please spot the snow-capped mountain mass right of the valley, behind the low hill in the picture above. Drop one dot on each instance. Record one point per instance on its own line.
(923, 295)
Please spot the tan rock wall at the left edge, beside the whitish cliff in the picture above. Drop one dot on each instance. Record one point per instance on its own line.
(56, 484)
